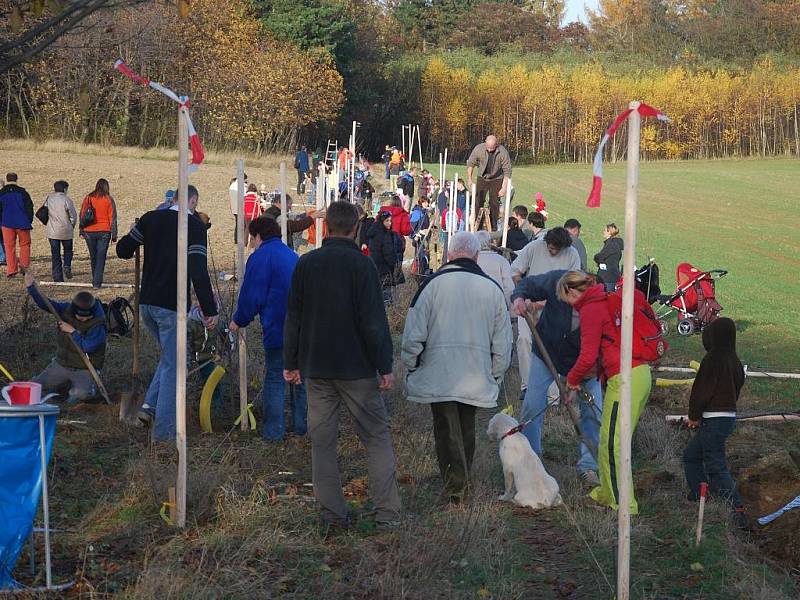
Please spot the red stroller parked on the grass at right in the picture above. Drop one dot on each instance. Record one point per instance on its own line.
(694, 301)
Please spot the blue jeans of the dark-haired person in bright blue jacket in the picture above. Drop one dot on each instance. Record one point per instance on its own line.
(272, 398)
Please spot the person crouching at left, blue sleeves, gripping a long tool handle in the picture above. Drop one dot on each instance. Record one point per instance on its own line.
(84, 321)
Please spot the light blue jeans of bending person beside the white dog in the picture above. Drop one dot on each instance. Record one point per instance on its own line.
(539, 379)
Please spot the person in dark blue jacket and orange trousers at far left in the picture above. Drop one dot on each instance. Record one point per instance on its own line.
(16, 217)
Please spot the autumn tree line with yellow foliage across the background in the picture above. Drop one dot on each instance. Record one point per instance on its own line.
(267, 75)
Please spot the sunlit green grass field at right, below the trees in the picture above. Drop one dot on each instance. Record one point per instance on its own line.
(738, 215)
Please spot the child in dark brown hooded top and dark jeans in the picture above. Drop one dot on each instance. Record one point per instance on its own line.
(712, 412)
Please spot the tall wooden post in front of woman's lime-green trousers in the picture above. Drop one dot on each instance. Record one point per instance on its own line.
(629, 255)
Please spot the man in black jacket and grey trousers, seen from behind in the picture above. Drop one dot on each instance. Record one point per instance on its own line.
(337, 338)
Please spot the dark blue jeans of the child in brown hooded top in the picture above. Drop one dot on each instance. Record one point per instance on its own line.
(704, 460)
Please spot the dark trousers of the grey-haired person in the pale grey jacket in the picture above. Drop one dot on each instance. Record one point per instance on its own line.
(454, 434)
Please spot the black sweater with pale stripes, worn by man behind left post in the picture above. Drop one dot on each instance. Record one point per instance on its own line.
(157, 232)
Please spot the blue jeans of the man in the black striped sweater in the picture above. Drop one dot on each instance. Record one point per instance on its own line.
(160, 397)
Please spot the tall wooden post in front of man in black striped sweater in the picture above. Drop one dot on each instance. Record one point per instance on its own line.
(181, 305)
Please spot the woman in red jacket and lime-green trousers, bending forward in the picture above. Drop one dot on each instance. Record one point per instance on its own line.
(600, 350)
